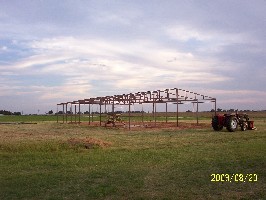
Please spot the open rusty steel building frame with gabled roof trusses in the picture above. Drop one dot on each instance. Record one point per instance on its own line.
(175, 96)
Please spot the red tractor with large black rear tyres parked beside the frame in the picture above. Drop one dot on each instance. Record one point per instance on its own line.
(231, 122)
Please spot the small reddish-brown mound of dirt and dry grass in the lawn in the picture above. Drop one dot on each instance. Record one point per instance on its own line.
(88, 143)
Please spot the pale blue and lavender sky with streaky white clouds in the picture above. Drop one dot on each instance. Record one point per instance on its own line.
(54, 51)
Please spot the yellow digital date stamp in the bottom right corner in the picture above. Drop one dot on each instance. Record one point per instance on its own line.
(234, 177)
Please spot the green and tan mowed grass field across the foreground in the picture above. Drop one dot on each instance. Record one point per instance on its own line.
(39, 162)
